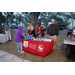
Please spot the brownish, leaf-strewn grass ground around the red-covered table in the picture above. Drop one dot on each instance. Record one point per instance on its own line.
(57, 55)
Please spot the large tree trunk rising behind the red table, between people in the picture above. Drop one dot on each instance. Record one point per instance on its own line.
(34, 20)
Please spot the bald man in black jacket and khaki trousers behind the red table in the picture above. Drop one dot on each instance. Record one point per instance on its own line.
(53, 31)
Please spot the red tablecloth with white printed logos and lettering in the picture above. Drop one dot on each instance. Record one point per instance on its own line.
(38, 47)
